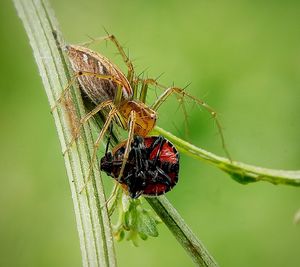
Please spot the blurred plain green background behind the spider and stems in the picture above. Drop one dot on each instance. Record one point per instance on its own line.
(242, 57)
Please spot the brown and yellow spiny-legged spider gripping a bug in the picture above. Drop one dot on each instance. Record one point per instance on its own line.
(121, 98)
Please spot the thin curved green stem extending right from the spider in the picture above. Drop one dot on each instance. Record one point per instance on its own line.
(241, 172)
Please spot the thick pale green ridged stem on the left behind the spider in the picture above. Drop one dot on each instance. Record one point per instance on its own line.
(93, 223)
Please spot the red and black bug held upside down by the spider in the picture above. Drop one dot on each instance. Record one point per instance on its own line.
(151, 168)
